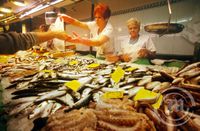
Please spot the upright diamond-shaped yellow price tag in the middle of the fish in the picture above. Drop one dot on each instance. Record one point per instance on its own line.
(117, 74)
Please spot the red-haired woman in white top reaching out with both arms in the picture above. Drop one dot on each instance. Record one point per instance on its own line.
(101, 30)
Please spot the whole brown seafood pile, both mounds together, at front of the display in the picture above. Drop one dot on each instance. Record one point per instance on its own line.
(107, 117)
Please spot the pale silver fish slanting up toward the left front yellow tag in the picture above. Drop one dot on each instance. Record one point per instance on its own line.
(51, 95)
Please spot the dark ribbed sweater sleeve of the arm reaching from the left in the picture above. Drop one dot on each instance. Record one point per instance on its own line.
(11, 42)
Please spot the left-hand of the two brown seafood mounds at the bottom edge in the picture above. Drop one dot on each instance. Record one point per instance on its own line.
(75, 120)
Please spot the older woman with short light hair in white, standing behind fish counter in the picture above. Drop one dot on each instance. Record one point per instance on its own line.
(136, 46)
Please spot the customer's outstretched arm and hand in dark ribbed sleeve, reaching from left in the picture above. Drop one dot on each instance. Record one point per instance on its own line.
(11, 42)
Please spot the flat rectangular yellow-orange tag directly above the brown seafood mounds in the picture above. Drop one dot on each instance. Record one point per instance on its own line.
(113, 94)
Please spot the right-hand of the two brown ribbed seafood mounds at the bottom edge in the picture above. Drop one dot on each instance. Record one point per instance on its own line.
(122, 120)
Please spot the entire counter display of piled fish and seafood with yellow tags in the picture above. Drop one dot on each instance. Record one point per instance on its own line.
(81, 93)
